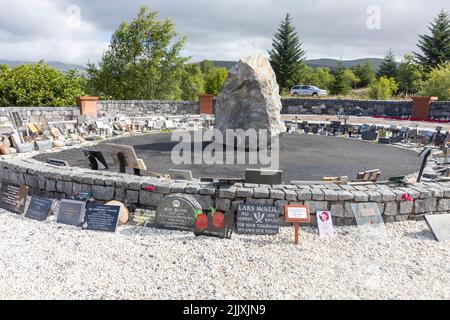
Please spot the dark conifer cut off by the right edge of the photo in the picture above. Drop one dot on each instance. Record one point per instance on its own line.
(435, 47)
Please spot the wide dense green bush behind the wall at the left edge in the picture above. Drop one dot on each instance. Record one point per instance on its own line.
(38, 85)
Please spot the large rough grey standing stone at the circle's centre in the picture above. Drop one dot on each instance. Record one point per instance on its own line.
(250, 98)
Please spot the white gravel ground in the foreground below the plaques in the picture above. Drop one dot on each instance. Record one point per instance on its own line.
(46, 260)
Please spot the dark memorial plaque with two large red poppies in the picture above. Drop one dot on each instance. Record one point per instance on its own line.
(214, 224)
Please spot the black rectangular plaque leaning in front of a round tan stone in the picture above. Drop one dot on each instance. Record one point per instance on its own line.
(101, 218)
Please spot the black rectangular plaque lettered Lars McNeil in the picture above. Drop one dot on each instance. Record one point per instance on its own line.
(257, 219)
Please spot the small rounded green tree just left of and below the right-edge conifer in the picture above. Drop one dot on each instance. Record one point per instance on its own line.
(410, 76)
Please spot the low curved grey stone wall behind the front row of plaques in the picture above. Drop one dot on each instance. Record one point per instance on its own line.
(62, 182)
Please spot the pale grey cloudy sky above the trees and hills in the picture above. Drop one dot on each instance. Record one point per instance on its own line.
(78, 31)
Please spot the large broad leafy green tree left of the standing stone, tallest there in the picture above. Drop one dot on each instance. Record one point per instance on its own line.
(143, 61)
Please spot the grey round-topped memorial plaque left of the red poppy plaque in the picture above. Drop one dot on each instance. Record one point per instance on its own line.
(177, 212)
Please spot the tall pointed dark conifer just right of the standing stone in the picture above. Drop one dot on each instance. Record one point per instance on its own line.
(286, 55)
